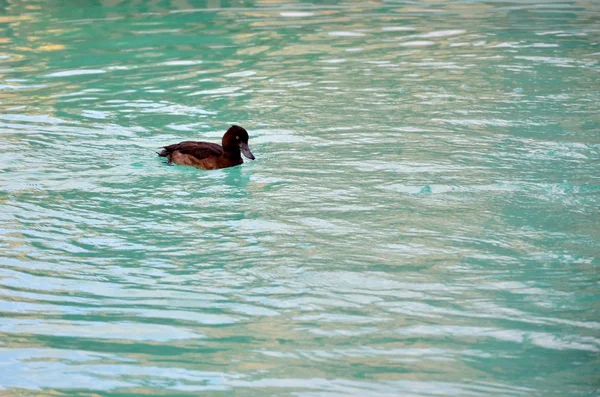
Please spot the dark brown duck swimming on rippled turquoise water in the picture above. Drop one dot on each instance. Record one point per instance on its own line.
(211, 156)
